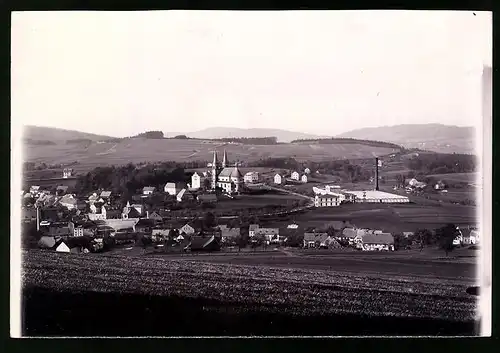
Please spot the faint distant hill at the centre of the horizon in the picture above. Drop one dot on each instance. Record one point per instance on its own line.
(226, 132)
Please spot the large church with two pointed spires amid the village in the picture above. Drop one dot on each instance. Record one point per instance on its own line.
(222, 175)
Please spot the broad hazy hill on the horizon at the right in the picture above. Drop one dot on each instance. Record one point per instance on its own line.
(432, 137)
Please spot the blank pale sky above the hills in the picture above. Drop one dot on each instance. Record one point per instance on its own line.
(323, 72)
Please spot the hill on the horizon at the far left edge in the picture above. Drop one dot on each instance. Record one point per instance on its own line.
(41, 133)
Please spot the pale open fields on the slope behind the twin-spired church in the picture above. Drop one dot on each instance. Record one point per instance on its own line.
(93, 154)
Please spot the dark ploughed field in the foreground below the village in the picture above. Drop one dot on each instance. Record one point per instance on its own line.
(158, 295)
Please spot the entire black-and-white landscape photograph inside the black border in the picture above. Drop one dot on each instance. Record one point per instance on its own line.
(251, 174)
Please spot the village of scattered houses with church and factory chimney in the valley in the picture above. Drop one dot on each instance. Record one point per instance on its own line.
(98, 222)
